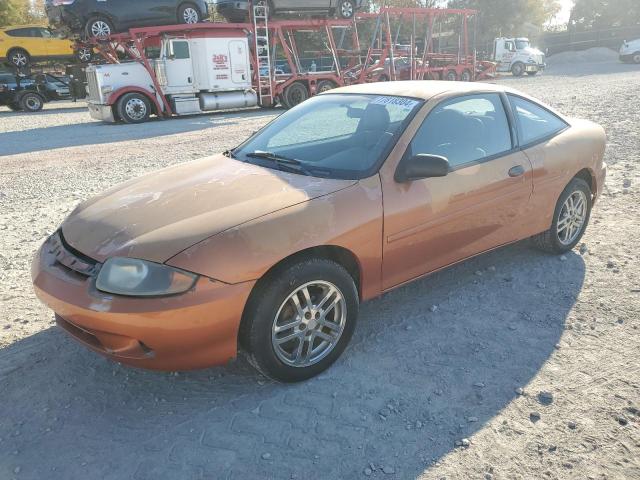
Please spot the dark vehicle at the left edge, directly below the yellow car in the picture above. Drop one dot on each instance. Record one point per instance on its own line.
(30, 93)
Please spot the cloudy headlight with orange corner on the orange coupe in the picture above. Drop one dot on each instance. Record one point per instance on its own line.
(140, 278)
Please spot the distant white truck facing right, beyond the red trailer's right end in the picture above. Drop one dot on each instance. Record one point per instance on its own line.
(516, 55)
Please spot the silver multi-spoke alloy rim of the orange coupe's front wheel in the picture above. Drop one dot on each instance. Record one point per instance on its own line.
(309, 324)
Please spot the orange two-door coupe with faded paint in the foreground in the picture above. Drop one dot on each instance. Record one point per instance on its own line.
(270, 247)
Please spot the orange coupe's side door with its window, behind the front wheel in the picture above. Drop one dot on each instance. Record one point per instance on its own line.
(480, 204)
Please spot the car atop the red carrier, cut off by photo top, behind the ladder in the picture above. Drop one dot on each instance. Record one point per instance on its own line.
(238, 11)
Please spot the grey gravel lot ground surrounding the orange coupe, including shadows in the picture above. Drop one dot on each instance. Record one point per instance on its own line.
(532, 359)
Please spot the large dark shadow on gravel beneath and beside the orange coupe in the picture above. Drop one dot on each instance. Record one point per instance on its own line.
(430, 363)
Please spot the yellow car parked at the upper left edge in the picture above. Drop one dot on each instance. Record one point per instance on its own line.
(24, 44)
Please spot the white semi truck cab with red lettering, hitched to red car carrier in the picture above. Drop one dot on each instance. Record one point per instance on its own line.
(195, 73)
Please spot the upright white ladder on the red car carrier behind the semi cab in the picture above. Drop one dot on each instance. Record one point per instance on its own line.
(263, 54)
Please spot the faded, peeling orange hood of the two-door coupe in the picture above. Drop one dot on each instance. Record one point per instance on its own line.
(158, 215)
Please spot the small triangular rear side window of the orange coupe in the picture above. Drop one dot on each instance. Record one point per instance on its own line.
(535, 123)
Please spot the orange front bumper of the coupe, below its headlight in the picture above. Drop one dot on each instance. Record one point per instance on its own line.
(196, 329)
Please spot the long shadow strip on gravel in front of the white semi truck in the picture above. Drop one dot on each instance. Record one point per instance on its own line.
(96, 133)
